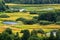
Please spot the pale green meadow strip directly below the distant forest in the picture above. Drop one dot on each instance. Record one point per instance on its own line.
(34, 7)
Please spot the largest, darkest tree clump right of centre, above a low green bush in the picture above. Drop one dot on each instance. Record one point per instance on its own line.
(50, 16)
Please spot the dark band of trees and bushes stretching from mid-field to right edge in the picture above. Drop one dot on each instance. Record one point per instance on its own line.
(43, 18)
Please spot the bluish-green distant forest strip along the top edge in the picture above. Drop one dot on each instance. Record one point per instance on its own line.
(33, 1)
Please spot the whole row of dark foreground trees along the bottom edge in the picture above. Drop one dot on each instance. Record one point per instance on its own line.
(9, 35)
